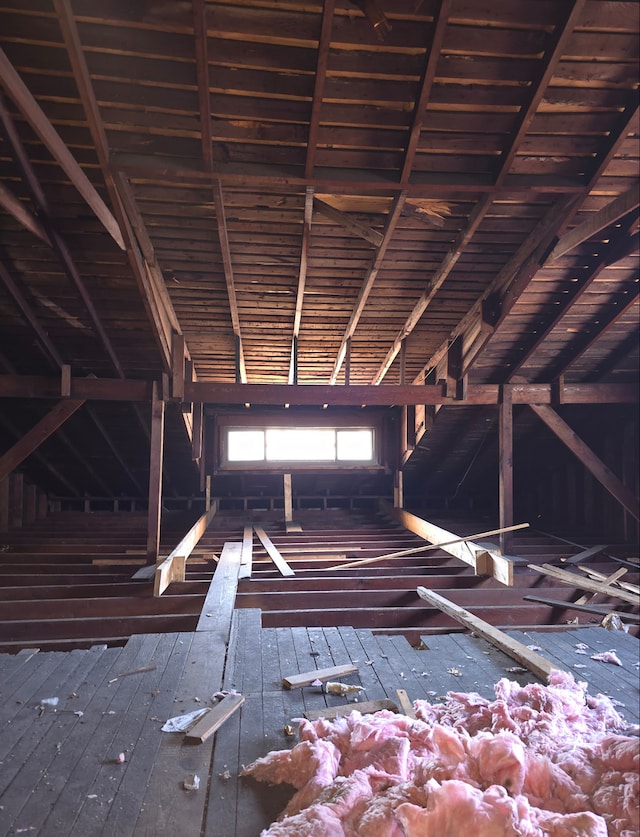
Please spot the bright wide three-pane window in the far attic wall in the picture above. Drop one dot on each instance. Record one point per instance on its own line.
(305, 445)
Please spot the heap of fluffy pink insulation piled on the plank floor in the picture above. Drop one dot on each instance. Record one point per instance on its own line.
(538, 761)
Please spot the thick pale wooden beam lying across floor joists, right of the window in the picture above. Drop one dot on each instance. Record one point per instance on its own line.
(482, 560)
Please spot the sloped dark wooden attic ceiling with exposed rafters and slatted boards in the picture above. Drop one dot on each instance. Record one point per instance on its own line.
(363, 193)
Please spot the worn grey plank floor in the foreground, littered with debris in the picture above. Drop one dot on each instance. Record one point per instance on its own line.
(59, 765)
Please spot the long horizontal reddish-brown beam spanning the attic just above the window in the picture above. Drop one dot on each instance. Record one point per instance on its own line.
(200, 392)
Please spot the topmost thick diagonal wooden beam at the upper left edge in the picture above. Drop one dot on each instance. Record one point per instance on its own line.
(36, 117)
